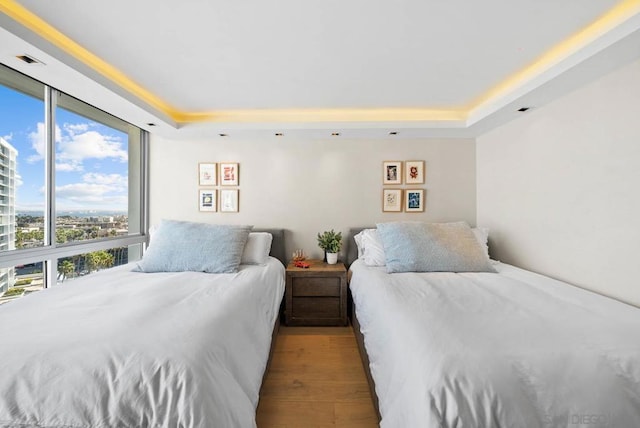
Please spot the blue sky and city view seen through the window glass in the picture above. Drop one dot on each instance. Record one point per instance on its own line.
(91, 187)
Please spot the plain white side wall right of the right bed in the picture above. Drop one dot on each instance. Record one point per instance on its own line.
(560, 187)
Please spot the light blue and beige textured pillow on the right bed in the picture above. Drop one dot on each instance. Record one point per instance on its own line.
(432, 247)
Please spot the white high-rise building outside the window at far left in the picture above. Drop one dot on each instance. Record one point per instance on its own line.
(8, 155)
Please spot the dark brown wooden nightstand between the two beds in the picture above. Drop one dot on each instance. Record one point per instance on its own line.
(316, 295)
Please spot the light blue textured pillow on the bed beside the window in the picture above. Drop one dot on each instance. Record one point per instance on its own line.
(187, 246)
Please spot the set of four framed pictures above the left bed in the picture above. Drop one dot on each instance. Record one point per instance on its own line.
(215, 182)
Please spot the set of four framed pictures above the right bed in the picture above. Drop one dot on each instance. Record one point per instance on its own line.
(399, 199)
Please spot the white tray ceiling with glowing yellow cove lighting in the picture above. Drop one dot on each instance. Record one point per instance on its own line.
(331, 56)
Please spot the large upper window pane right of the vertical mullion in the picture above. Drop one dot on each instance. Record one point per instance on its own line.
(91, 172)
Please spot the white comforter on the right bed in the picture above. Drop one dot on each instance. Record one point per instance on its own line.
(512, 349)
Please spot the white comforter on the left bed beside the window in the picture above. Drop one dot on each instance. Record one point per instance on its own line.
(128, 349)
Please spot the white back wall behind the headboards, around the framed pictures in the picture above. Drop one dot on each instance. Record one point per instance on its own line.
(310, 186)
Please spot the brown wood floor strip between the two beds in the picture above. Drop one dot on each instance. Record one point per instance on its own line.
(316, 380)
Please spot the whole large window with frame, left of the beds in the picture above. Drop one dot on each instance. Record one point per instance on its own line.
(72, 186)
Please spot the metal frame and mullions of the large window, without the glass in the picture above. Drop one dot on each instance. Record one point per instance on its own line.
(50, 252)
